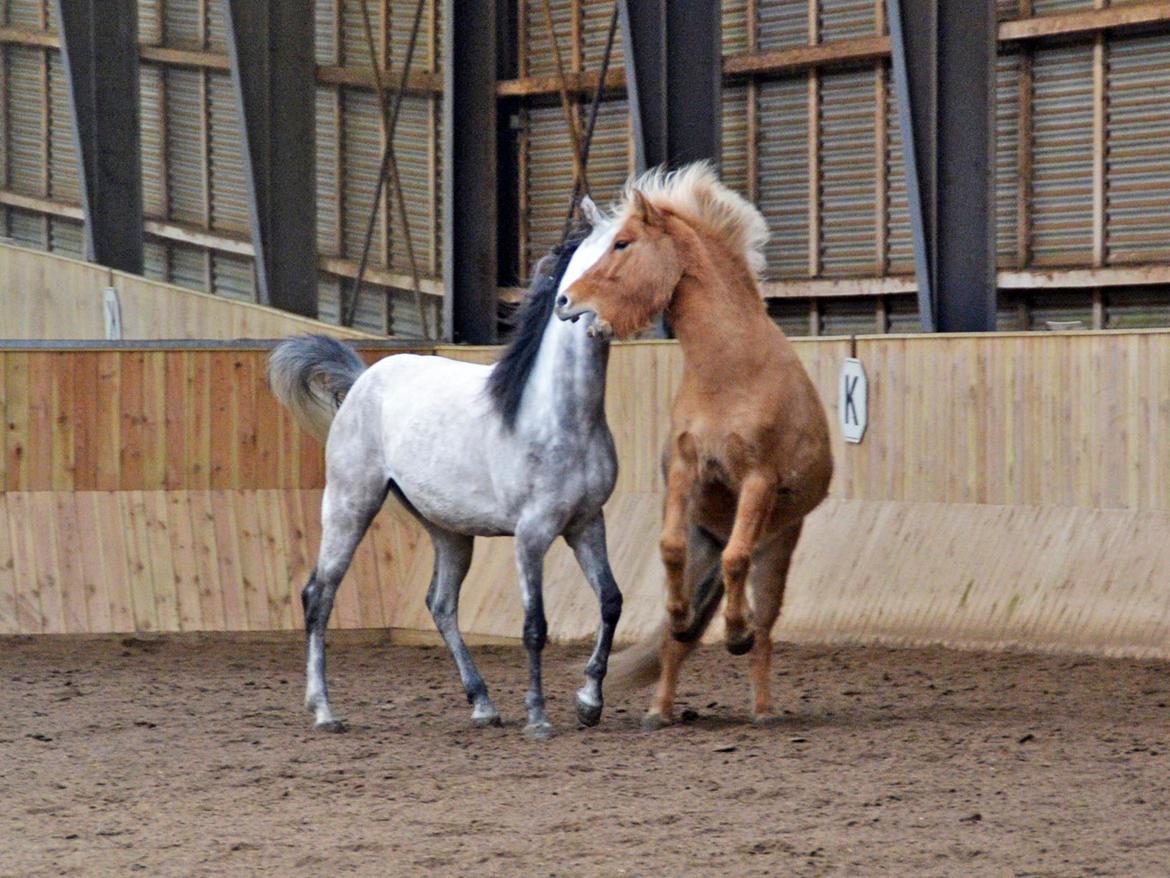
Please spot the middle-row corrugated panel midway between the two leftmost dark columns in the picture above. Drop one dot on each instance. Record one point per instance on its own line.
(185, 177)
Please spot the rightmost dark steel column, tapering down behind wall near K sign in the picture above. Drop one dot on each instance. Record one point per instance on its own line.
(945, 68)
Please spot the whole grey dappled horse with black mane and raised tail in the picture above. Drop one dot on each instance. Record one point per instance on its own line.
(521, 448)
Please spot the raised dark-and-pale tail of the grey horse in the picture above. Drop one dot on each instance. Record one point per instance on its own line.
(312, 375)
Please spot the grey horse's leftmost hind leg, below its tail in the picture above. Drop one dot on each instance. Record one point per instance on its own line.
(347, 511)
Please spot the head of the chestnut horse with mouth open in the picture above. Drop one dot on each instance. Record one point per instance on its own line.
(635, 280)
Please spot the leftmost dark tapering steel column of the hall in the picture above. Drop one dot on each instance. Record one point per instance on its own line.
(100, 50)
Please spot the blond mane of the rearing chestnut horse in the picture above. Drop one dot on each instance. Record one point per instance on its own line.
(697, 191)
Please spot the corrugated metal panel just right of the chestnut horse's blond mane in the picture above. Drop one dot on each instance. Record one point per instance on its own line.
(784, 175)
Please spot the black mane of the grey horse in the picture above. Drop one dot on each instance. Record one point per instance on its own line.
(507, 382)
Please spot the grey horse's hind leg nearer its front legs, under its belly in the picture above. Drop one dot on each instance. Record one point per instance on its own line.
(453, 559)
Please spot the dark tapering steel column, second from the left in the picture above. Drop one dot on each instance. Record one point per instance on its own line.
(271, 46)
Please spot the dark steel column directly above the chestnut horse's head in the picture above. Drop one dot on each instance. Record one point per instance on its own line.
(673, 59)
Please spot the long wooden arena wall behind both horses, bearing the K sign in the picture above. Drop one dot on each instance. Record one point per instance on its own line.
(1011, 490)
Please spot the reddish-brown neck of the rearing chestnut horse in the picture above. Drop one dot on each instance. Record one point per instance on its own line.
(718, 313)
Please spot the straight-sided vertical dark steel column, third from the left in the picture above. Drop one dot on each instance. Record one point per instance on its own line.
(470, 201)
